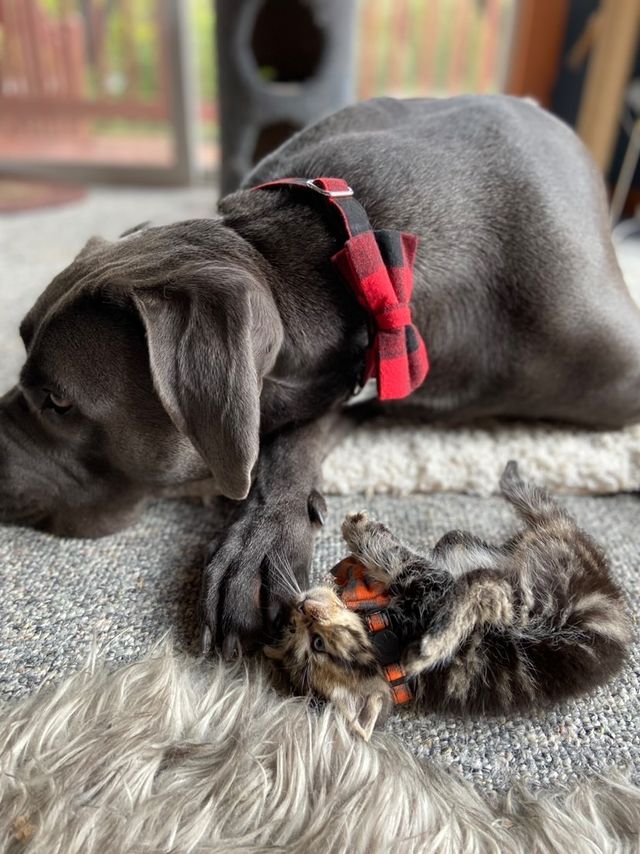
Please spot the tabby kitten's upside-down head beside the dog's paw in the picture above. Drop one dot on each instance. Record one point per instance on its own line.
(325, 650)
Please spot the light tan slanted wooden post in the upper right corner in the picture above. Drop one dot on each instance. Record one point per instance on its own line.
(607, 77)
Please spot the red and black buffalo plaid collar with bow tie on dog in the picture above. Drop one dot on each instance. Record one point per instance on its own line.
(378, 267)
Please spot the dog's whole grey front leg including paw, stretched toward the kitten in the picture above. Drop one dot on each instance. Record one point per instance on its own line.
(268, 546)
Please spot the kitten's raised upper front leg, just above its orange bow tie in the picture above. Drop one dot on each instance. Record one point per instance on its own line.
(377, 548)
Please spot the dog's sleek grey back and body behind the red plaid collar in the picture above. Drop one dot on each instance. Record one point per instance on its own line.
(517, 288)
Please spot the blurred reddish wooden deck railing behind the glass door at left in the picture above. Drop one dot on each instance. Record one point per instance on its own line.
(54, 62)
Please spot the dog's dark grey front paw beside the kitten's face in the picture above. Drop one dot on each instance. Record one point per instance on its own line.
(257, 565)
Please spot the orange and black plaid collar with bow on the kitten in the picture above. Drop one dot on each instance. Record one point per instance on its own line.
(370, 598)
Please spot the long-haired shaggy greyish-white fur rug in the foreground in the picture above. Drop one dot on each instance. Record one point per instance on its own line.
(174, 755)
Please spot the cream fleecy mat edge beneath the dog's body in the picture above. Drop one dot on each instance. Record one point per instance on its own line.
(400, 460)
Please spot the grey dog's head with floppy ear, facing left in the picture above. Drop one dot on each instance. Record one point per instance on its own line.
(145, 361)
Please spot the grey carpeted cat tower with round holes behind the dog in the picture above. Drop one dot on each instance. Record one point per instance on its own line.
(281, 65)
